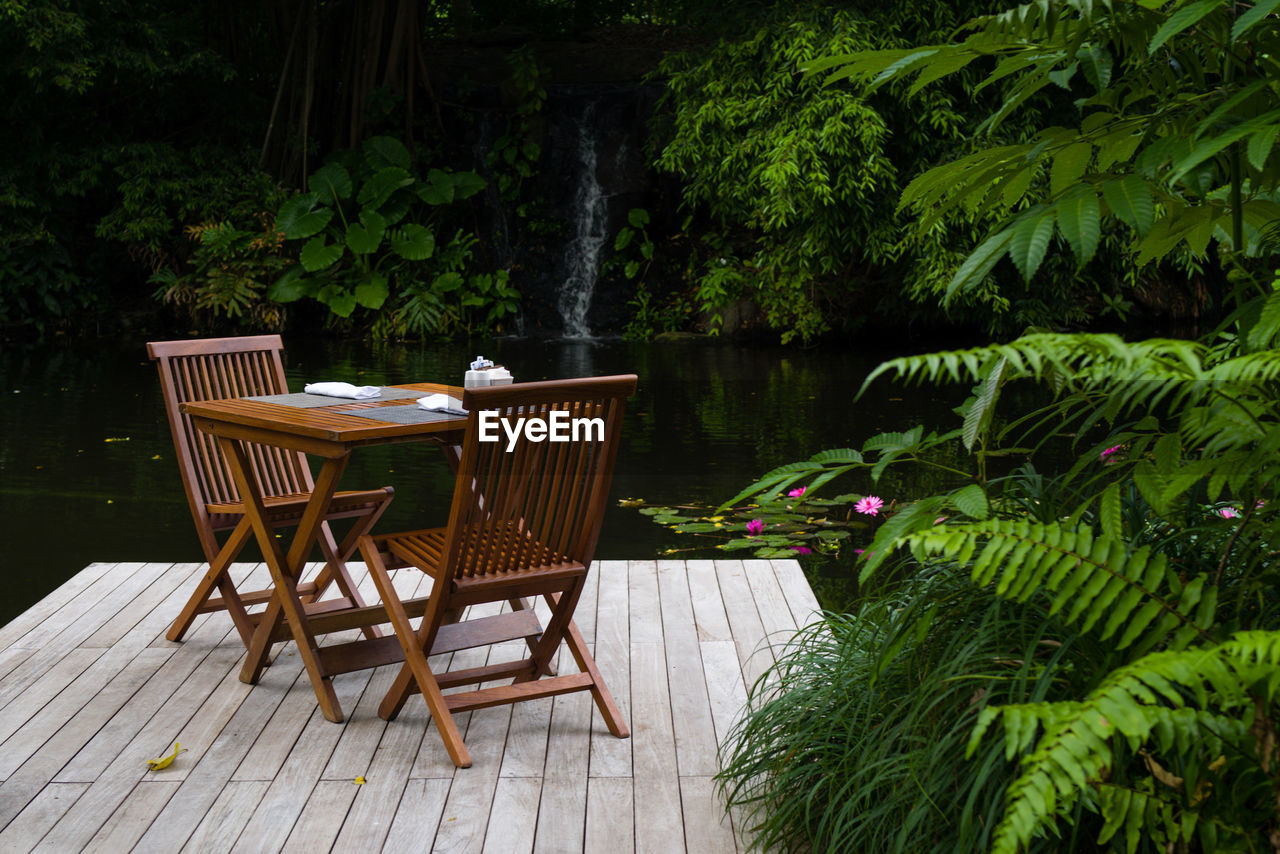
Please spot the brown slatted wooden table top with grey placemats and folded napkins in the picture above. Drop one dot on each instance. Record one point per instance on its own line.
(328, 423)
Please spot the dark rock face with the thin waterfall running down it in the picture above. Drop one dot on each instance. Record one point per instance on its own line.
(557, 232)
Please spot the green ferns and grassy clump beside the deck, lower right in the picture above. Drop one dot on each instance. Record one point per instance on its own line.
(1142, 715)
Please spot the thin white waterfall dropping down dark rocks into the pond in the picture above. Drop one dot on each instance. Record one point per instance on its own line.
(591, 231)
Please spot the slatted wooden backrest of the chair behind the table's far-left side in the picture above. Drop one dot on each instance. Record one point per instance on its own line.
(212, 369)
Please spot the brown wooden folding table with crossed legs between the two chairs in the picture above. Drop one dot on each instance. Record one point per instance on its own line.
(330, 430)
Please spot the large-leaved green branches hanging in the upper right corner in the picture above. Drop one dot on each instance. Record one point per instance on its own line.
(1177, 113)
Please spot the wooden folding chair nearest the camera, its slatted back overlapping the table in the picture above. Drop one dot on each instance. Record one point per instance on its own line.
(524, 523)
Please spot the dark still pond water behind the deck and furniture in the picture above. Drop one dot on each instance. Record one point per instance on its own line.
(88, 469)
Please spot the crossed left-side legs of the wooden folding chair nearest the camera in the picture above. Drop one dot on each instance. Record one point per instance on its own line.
(415, 660)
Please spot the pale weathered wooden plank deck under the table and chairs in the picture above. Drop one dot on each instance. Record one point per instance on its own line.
(90, 689)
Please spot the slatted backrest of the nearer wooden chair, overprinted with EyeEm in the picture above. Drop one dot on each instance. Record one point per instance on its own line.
(523, 504)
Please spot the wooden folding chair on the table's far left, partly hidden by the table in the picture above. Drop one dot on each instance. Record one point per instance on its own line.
(226, 368)
